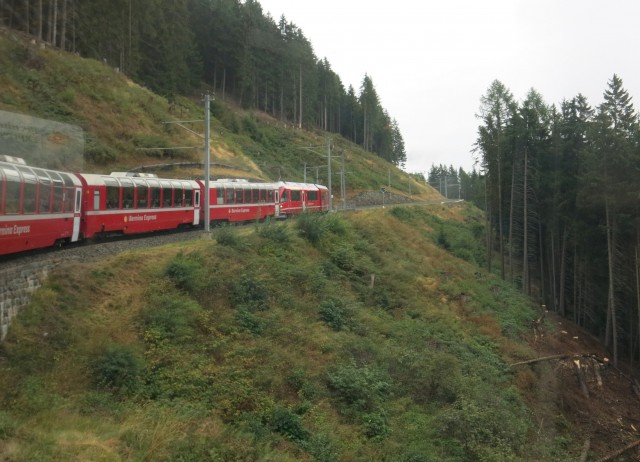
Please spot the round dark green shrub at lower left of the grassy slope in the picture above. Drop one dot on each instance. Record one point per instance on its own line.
(118, 368)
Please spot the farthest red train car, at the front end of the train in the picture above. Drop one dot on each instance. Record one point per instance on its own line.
(297, 198)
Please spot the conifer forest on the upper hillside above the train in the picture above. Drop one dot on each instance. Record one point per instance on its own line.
(185, 47)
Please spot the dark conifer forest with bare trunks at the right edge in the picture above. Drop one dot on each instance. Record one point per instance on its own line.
(560, 187)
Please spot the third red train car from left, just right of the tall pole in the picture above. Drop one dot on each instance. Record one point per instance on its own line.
(232, 201)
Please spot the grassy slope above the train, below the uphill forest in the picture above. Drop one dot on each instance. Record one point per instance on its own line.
(122, 120)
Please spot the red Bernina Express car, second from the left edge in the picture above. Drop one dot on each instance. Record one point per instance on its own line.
(123, 204)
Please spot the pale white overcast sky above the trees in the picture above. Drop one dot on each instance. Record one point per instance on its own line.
(431, 61)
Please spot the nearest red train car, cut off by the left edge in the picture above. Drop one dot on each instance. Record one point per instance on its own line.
(38, 207)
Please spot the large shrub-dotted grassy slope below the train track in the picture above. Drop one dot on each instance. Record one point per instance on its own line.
(272, 343)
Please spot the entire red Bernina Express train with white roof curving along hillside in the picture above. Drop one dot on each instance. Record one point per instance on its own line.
(42, 208)
